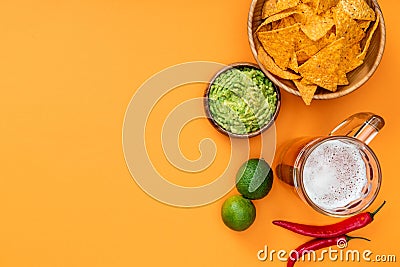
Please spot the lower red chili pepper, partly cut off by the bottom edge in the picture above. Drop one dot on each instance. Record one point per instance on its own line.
(316, 244)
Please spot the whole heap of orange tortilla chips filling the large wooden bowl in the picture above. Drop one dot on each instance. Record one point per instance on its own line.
(321, 40)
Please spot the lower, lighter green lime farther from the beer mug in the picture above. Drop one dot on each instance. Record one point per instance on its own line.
(238, 213)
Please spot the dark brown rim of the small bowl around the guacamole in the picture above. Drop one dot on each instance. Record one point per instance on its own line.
(226, 132)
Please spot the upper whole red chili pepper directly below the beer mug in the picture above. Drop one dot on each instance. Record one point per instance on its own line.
(326, 231)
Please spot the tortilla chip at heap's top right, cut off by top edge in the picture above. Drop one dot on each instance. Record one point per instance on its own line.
(357, 9)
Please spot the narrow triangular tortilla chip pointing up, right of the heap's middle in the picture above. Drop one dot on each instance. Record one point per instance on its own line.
(347, 27)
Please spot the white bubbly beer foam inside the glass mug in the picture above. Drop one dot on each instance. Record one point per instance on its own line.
(334, 174)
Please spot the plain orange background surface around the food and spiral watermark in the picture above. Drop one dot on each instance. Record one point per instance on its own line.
(67, 72)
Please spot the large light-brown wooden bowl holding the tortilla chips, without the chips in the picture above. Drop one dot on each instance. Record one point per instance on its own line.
(356, 77)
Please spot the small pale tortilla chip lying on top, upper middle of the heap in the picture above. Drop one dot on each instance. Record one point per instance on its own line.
(317, 26)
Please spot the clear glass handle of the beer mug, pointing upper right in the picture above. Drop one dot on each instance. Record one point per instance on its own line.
(363, 126)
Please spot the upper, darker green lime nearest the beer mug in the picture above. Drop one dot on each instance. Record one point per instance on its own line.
(254, 179)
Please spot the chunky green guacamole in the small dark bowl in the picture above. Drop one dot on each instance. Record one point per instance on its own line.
(242, 100)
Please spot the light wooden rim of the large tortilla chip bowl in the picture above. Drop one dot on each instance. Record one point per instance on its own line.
(328, 95)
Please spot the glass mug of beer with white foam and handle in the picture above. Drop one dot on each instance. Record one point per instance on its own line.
(338, 175)
